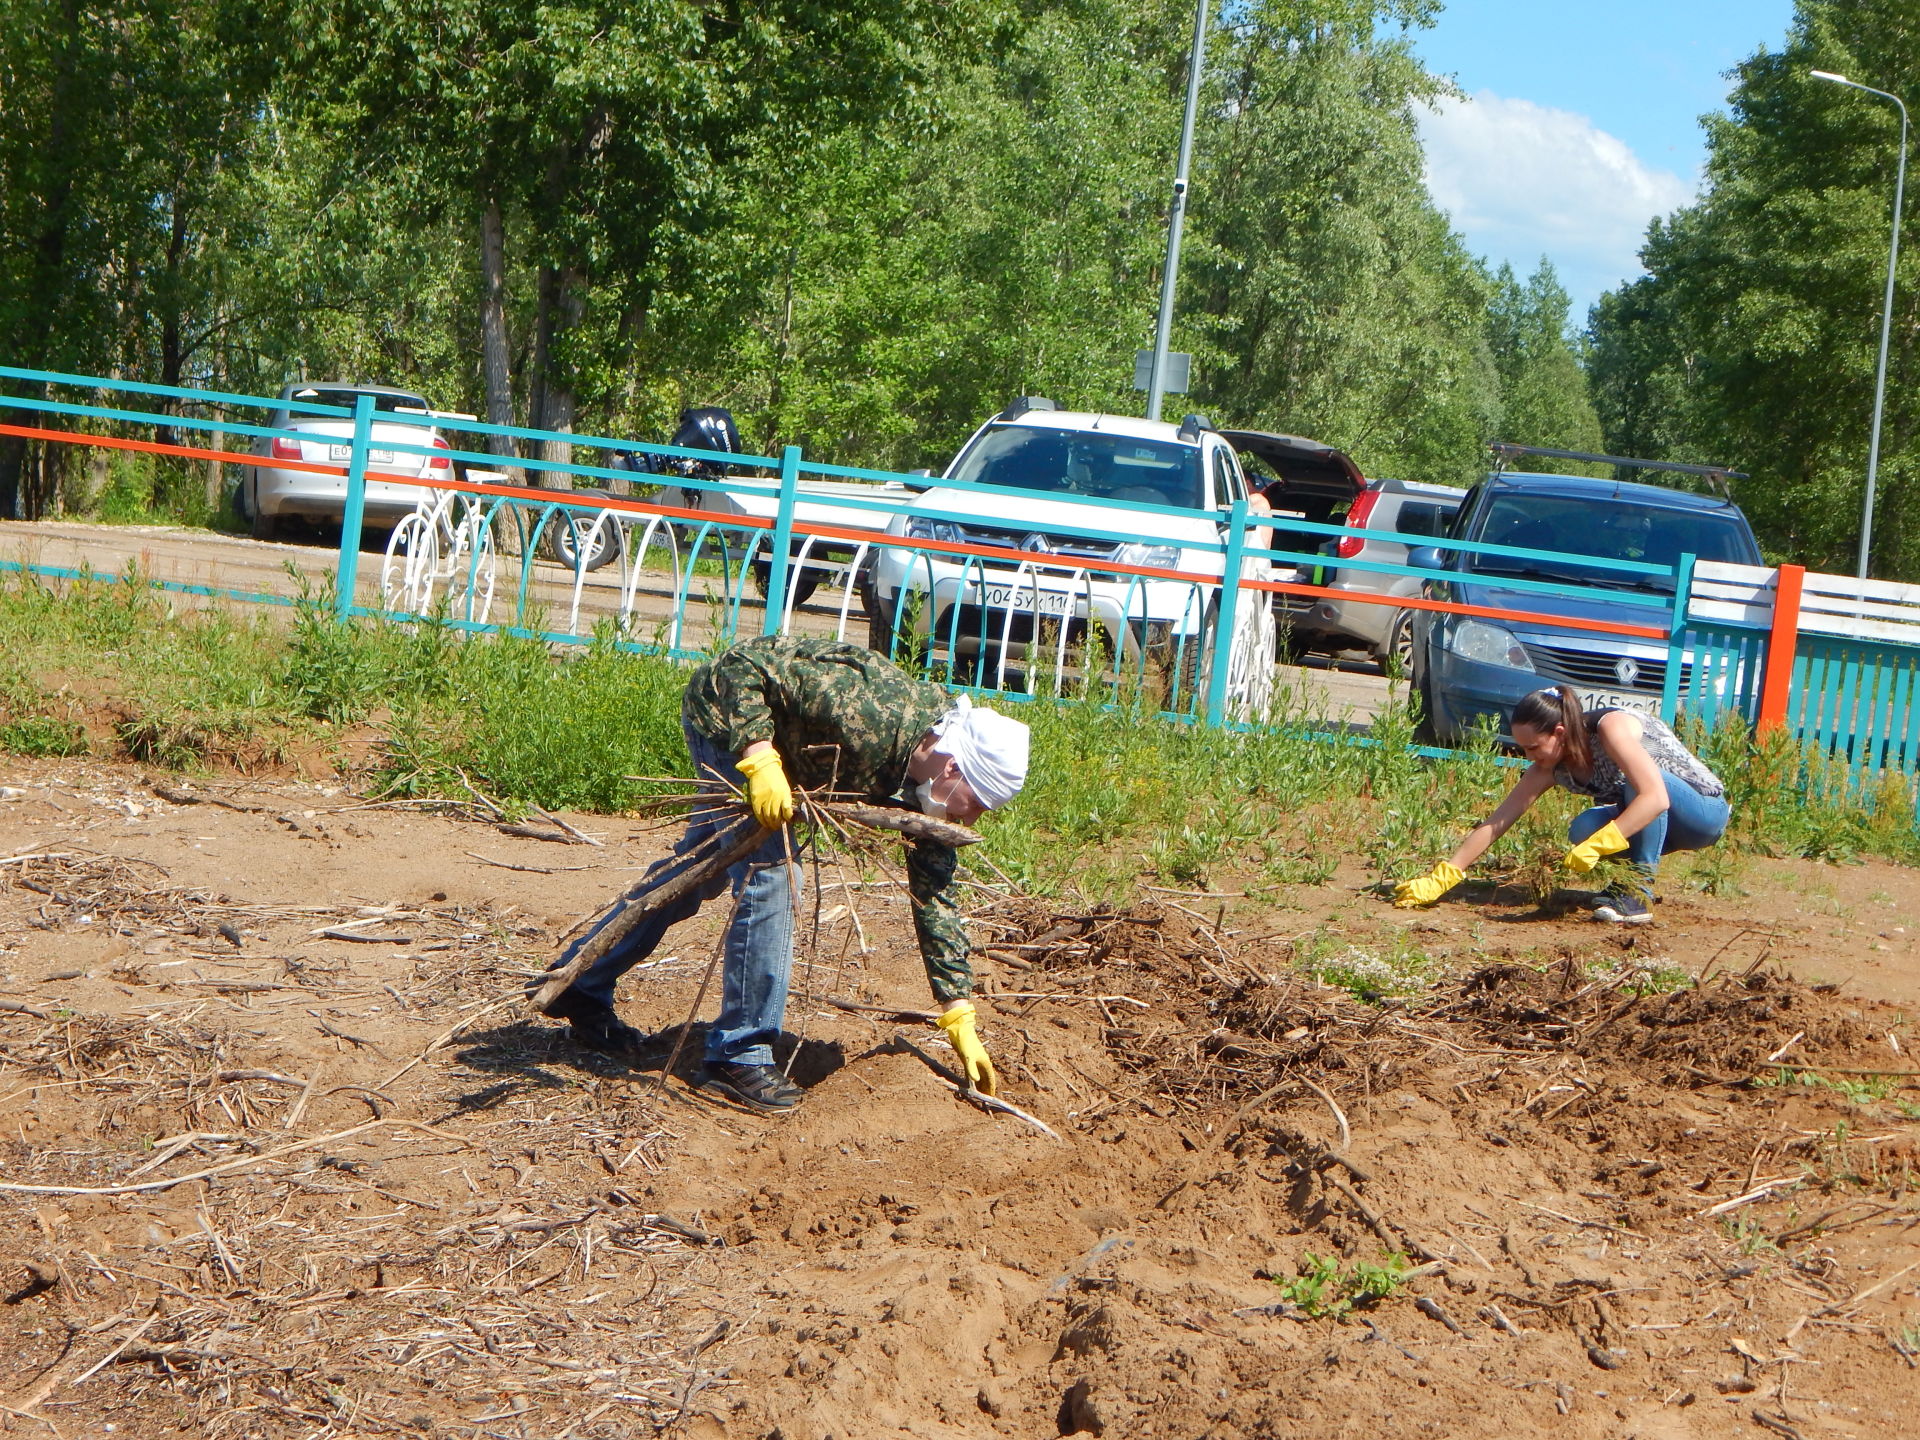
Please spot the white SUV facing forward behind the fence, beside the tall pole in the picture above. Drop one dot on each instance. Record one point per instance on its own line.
(1070, 485)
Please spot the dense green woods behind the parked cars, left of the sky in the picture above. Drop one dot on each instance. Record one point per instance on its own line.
(861, 226)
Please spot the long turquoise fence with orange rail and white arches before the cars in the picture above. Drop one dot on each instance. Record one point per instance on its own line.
(679, 552)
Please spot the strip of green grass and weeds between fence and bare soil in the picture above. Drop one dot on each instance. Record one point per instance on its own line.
(1116, 792)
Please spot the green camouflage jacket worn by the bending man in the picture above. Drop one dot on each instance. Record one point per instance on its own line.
(842, 719)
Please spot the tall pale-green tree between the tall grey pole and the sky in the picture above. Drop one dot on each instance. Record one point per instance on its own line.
(1335, 302)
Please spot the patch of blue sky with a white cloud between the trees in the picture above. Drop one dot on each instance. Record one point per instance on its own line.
(1581, 122)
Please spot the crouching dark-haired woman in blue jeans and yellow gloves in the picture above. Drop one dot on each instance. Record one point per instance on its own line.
(1652, 796)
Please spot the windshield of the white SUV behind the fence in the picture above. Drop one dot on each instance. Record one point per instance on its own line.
(1086, 464)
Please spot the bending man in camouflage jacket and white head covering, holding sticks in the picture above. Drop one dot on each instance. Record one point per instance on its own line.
(832, 717)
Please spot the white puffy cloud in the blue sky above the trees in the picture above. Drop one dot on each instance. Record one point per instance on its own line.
(1525, 181)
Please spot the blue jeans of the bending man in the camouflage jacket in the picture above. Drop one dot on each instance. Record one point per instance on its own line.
(759, 942)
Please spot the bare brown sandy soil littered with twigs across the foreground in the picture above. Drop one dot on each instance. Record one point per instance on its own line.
(387, 1201)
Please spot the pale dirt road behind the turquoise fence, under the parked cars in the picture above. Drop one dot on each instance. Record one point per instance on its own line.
(1332, 690)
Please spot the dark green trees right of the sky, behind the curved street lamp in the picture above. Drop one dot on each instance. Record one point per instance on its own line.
(1754, 339)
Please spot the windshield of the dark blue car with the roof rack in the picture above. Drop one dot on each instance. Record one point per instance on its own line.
(1614, 531)
